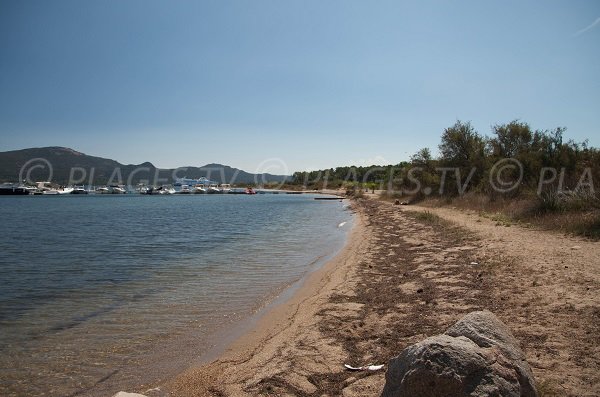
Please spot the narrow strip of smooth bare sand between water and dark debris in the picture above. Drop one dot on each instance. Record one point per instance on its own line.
(279, 320)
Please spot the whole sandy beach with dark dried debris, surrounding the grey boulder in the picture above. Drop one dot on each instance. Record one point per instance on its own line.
(404, 276)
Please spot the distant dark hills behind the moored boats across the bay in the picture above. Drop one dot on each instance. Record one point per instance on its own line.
(68, 165)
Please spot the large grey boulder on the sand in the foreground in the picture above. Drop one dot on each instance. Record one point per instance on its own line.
(477, 356)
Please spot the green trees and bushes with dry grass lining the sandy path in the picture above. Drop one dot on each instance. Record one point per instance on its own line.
(515, 175)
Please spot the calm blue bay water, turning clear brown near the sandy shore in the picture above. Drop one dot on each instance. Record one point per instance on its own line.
(103, 291)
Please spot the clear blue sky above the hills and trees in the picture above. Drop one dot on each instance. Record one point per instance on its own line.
(282, 86)
